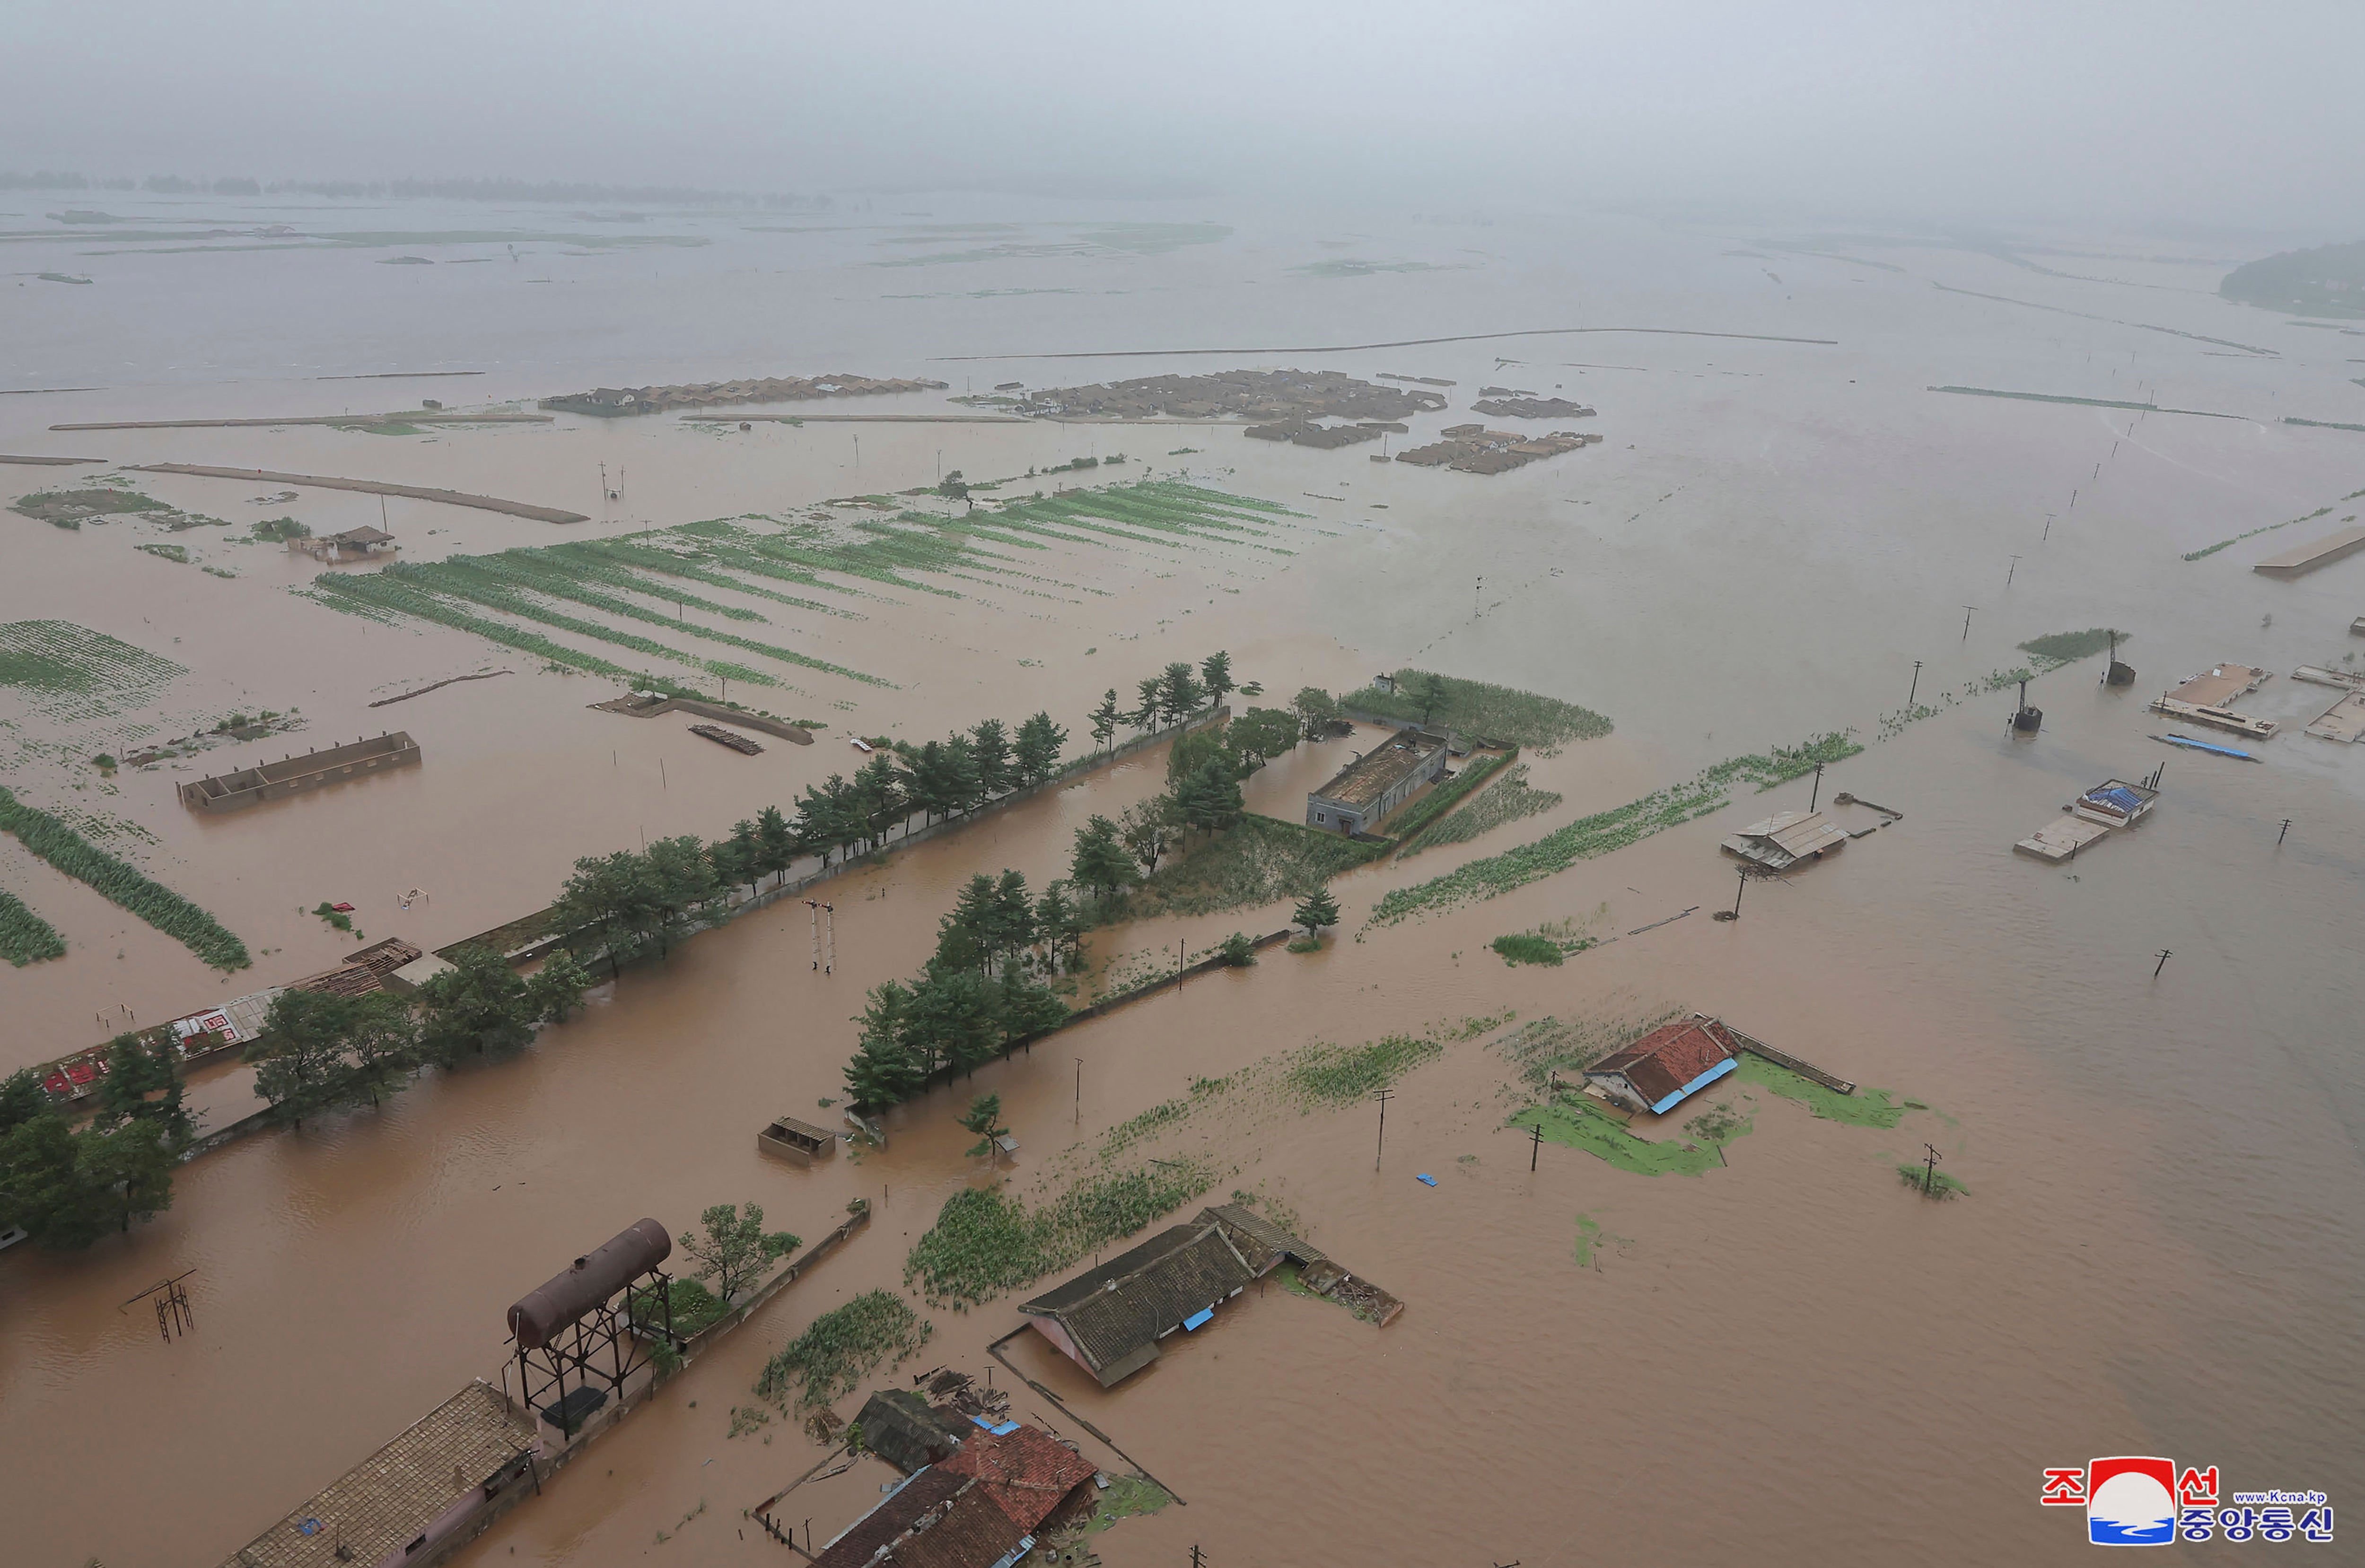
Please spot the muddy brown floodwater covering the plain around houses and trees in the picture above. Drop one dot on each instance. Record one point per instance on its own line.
(1789, 1359)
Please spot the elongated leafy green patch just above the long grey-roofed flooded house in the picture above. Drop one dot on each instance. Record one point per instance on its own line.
(987, 1243)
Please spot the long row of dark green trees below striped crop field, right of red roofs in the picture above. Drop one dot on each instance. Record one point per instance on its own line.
(637, 902)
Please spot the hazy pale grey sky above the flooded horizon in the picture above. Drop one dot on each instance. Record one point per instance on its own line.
(2139, 112)
